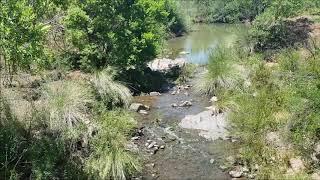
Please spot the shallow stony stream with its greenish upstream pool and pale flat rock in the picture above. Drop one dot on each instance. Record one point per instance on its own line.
(190, 143)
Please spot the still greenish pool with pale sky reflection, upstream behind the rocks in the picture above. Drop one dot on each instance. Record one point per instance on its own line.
(202, 41)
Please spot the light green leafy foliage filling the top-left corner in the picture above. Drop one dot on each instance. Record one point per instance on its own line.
(21, 34)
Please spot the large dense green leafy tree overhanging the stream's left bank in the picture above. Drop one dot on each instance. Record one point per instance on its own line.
(118, 32)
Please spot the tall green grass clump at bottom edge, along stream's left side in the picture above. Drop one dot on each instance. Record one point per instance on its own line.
(110, 159)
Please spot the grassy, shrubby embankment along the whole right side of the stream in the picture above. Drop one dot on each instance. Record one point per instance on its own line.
(272, 95)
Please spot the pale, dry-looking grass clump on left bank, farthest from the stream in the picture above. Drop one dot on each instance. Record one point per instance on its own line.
(67, 104)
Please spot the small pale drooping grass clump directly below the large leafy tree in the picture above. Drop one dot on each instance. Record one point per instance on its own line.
(110, 92)
